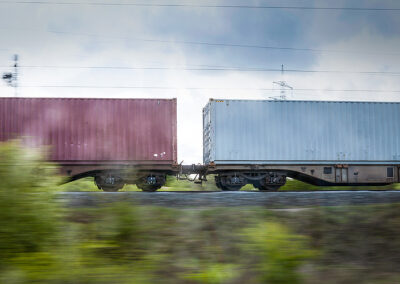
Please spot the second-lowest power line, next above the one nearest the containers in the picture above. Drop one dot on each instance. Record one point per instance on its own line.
(211, 68)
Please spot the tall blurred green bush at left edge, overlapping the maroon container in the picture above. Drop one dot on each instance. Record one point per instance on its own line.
(28, 221)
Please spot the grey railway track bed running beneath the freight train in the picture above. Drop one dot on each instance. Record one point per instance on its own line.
(229, 199)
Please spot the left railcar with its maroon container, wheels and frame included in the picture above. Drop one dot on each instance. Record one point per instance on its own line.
(116, 141)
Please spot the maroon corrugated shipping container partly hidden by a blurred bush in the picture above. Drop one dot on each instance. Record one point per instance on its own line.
(94, 130)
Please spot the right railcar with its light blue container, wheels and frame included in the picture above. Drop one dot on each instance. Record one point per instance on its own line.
(262, 142)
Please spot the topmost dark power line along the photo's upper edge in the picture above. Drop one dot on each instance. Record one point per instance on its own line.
(59, 3)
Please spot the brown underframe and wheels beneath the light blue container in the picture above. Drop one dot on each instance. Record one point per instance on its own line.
(272, 177)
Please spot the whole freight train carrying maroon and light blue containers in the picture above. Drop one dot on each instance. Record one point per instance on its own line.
(258, 142)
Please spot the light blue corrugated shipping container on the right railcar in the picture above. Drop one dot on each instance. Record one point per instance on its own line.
(300, 132)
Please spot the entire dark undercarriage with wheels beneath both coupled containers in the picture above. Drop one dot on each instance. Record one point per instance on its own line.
(150, 177)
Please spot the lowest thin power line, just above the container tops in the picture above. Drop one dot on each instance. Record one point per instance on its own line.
(203, 88)
